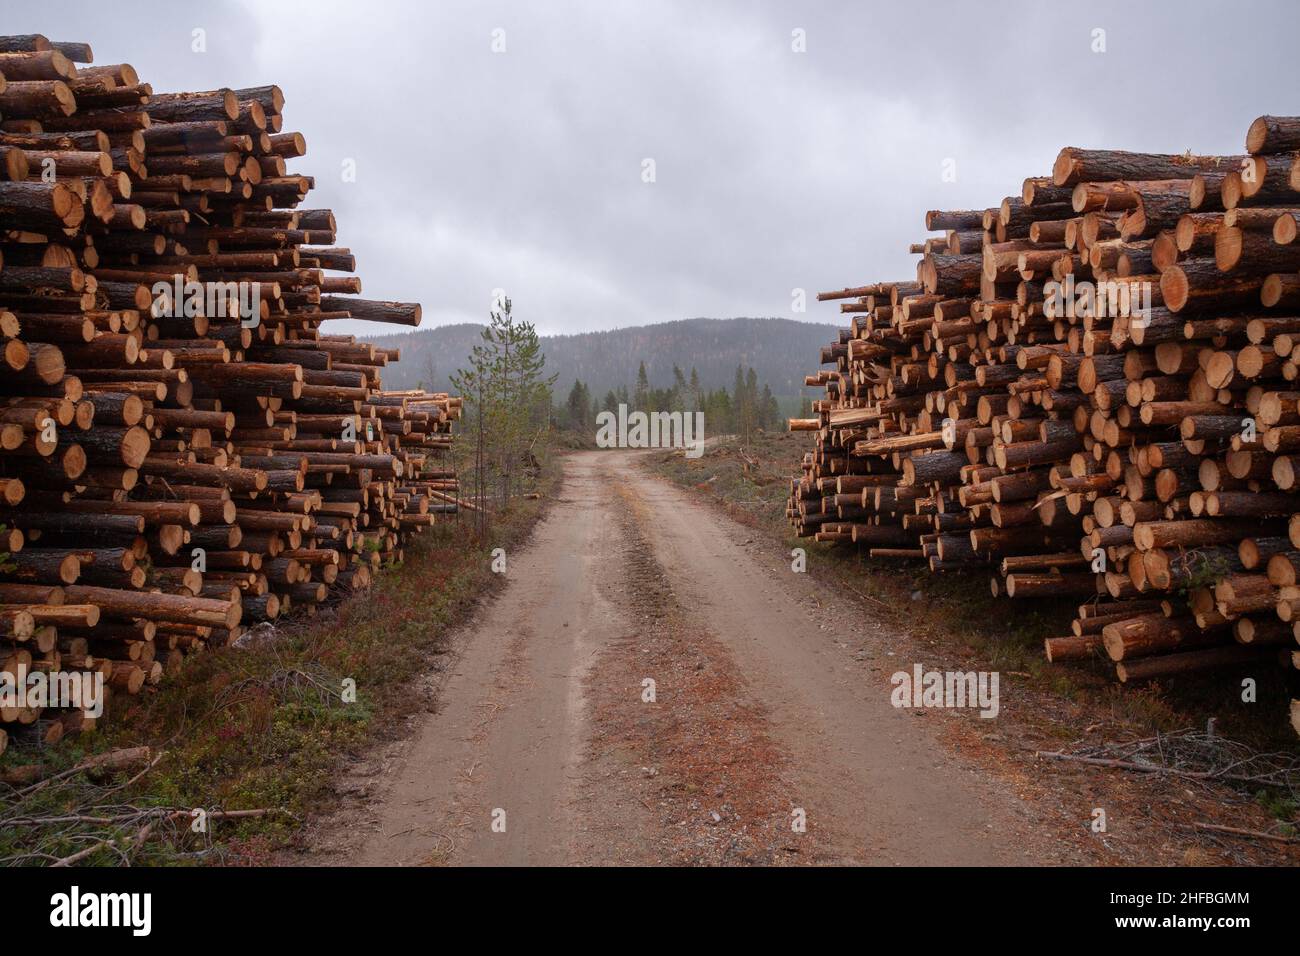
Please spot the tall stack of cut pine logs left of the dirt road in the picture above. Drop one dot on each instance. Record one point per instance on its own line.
(184, 448)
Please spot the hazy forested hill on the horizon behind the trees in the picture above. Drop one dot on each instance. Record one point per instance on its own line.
(782, 352)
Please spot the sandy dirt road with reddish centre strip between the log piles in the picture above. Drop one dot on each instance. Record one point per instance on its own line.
(655, 686)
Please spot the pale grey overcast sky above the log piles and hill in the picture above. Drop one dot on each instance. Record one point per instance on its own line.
(774, 170)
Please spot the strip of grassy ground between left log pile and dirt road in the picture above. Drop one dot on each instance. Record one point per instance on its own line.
(265, 726)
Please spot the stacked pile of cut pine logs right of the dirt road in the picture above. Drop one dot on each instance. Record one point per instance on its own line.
(1091, 392)
